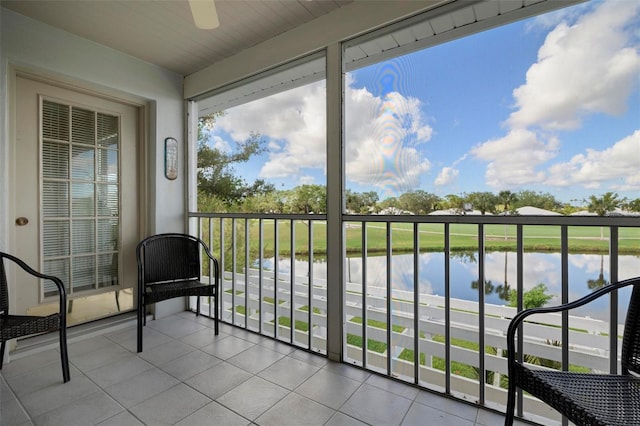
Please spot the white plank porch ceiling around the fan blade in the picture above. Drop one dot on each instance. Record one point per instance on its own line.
(162, 32)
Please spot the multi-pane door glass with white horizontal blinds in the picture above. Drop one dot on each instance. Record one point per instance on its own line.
(80, 196)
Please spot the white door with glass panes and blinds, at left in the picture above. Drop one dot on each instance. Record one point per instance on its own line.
(75, 193)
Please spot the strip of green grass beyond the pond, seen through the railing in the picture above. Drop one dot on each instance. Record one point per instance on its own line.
(463, 238)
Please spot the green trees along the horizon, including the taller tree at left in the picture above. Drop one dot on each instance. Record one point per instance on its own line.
(222, 189)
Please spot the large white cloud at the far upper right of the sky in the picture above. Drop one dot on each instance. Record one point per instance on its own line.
(585, 68)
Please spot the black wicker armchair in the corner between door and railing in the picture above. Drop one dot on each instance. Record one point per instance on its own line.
(169, 266)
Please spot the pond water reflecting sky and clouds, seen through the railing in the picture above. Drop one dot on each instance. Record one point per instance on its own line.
(586, 272)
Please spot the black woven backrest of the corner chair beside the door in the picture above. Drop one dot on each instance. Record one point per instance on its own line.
(169, 257)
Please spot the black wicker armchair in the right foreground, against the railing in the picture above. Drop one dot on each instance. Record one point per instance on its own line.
(584, 398)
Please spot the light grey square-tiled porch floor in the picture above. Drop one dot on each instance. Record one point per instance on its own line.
(188, 376)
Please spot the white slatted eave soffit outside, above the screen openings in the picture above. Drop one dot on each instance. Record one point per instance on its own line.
(443, 23)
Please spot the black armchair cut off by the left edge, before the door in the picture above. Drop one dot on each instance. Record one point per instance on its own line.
(15, 326)
